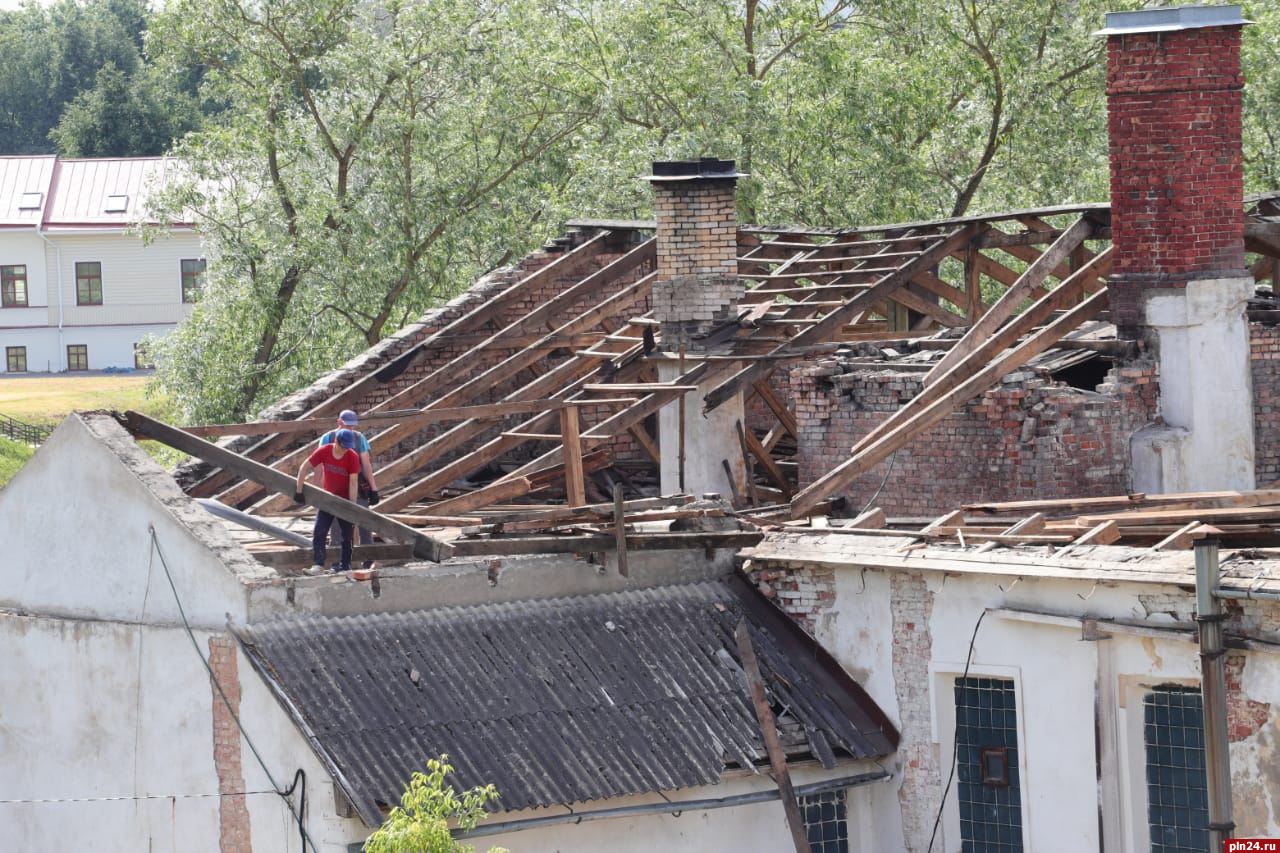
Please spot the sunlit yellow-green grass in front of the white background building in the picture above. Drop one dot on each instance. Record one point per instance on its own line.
(45, 400)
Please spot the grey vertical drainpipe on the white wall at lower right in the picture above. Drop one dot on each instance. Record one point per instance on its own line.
(1218, 759)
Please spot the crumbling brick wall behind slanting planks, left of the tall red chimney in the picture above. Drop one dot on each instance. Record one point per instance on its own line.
(1026, 439)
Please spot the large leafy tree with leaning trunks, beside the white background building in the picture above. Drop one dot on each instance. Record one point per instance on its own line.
(355, 176)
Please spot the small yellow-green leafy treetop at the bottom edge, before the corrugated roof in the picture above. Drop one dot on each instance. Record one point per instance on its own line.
(420, 824)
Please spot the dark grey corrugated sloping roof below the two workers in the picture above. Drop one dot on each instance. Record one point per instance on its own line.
(560, 701)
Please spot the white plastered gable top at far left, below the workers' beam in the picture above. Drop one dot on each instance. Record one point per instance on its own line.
(77, 524)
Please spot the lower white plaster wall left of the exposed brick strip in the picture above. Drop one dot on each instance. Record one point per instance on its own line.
(126, 758)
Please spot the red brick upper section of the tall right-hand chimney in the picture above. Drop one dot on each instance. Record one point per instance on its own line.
(1177, 175)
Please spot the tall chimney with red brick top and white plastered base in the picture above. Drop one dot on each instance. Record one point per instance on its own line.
(1174, 92)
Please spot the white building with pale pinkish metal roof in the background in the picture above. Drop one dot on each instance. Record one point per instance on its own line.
(80, 288)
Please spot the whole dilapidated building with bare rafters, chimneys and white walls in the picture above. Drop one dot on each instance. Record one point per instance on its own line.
(968, 460)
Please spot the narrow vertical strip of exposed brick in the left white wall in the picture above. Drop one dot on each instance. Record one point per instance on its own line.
(234, 831)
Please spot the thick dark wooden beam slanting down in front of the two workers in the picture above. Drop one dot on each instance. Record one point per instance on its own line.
(424, 546)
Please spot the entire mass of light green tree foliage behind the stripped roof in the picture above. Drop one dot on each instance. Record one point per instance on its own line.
(372, 159)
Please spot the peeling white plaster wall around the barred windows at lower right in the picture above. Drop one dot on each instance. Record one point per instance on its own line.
(1064, 685)
